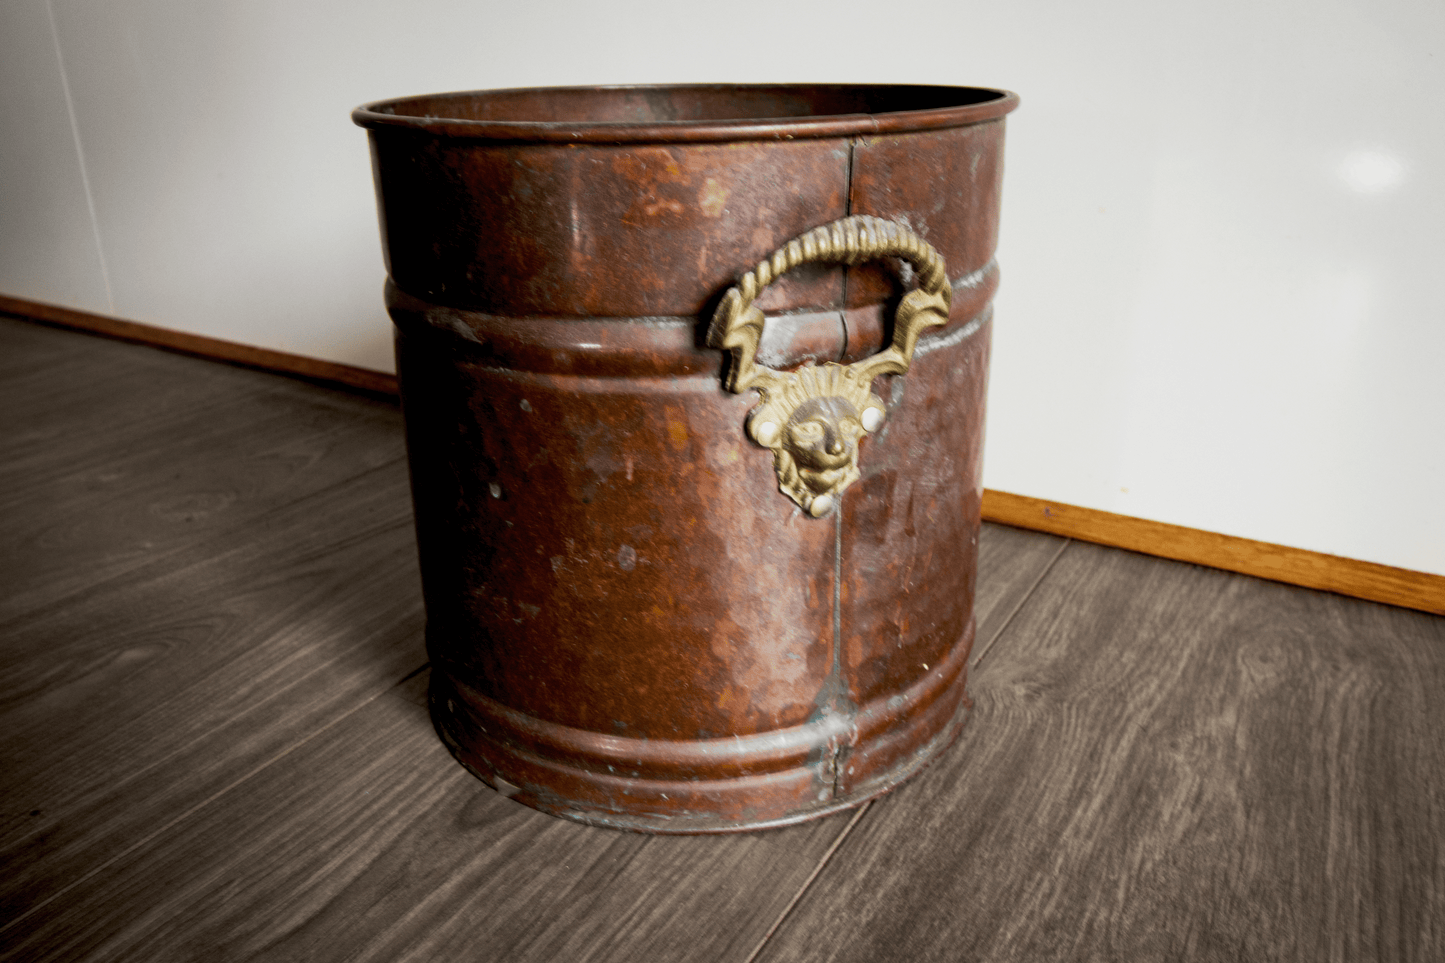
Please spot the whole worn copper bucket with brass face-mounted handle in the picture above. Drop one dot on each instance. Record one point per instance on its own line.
(686, 572)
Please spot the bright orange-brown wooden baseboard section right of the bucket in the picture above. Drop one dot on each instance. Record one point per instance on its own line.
(1294, 566)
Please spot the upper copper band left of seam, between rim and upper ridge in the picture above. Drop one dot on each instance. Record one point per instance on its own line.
(602, 232)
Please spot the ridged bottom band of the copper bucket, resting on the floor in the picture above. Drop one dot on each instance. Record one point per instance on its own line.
(713, 786)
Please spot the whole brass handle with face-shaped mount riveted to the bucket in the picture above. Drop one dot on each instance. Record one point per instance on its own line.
(813, 419)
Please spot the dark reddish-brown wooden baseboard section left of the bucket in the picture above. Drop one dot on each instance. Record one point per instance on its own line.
(202, 346)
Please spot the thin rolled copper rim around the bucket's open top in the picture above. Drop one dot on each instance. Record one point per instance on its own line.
(976, 105)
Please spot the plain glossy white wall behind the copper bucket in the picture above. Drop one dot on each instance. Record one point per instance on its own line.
(1223, 245)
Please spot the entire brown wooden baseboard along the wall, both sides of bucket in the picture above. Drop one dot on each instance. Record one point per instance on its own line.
(1280, 563)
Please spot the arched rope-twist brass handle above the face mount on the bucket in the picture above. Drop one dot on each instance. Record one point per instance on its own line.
(738, 326)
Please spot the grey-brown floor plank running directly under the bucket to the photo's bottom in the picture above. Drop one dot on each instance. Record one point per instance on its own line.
(368, 842)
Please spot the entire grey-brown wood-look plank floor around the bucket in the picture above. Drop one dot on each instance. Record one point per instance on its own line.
(215, 741)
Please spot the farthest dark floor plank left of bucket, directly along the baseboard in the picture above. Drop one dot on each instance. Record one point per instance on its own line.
(139, 453)
